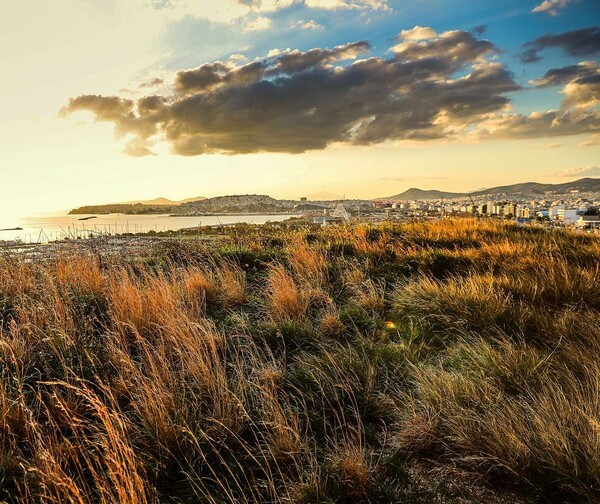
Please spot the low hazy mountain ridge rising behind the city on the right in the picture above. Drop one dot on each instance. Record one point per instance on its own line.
(581, 185)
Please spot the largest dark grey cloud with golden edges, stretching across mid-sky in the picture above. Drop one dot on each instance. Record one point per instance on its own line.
(301, 100)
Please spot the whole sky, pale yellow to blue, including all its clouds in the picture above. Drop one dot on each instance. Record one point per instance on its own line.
(113, 100)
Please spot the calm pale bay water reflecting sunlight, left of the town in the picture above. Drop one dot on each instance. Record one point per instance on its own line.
(59, 226)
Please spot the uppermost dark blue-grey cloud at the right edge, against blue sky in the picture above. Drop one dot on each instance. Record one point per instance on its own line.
(584, 42)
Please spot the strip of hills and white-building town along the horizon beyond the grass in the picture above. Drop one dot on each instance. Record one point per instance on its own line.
(574, 204)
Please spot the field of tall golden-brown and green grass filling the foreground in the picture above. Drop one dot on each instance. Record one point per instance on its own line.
(454, 361)
